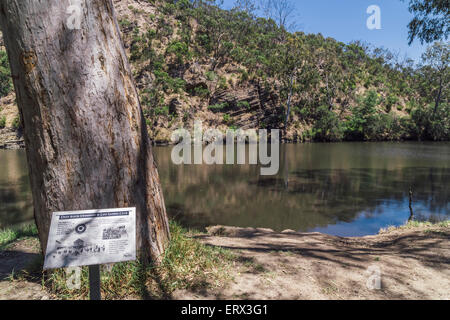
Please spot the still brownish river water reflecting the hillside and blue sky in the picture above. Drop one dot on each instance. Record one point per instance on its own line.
(346, 189)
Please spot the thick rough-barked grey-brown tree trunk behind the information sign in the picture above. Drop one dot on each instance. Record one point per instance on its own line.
(86, 140)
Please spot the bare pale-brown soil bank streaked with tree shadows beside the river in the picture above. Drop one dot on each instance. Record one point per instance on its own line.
(414, 264)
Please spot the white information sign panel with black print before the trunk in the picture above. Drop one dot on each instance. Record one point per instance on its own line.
(90, 237)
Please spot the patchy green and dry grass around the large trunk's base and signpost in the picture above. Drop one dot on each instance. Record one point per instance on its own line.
(187, 264)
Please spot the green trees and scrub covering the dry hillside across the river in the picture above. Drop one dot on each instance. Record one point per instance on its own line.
(338, 91)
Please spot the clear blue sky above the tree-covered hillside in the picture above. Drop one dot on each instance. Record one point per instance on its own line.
(345, 20)
